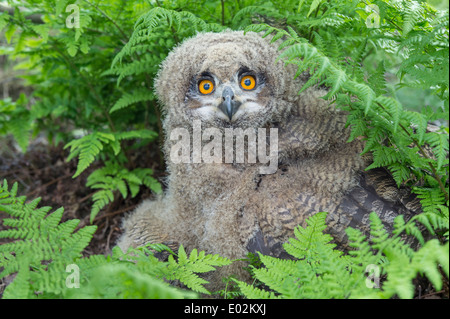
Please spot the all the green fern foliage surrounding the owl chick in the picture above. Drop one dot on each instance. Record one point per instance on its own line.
(385, 62)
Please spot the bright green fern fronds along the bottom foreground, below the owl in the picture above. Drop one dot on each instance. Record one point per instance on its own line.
(46, 256)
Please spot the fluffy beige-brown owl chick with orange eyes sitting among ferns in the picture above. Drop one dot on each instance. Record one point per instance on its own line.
(231, 81)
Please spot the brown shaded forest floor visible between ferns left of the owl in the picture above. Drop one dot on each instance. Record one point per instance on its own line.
(44, 172)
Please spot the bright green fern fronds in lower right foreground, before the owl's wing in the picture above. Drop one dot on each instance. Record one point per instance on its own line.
(318, 270)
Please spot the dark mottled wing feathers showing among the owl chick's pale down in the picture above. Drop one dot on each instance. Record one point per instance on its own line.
(375, 192)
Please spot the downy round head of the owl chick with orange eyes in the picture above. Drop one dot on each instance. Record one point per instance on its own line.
(225, 79)
